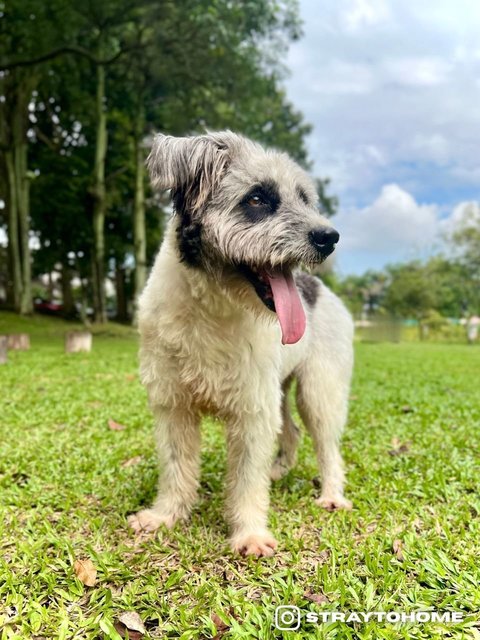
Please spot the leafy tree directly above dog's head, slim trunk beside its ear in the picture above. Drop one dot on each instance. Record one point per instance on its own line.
(209, 74)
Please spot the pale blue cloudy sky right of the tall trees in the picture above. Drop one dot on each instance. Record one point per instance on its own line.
(392, 89)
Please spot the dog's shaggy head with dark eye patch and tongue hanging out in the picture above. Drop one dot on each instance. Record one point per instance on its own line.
(246, 215)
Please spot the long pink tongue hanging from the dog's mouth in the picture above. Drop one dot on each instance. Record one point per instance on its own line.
(288, 307)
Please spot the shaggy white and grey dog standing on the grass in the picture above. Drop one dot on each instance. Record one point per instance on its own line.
(227, 321)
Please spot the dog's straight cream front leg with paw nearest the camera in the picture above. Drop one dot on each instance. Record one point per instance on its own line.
(251, 443)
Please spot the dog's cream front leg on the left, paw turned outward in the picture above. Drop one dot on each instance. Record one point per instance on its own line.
(178, 443)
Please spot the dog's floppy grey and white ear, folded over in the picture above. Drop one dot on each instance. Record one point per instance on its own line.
(192, 165)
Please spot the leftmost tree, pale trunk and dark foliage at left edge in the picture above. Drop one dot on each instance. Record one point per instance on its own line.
(26, 29)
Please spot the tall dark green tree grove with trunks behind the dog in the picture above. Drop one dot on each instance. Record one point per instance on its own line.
(84, 85)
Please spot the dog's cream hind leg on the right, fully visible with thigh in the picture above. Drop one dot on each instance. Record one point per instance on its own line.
(322, 400)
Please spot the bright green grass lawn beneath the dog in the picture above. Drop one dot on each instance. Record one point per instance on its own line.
(68, 481)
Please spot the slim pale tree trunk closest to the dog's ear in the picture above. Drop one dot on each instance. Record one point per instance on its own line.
(139, 230)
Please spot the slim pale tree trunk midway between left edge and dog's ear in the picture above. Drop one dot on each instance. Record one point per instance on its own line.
(99, 202)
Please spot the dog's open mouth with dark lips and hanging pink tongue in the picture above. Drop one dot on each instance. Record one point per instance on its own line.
(277, 290)
